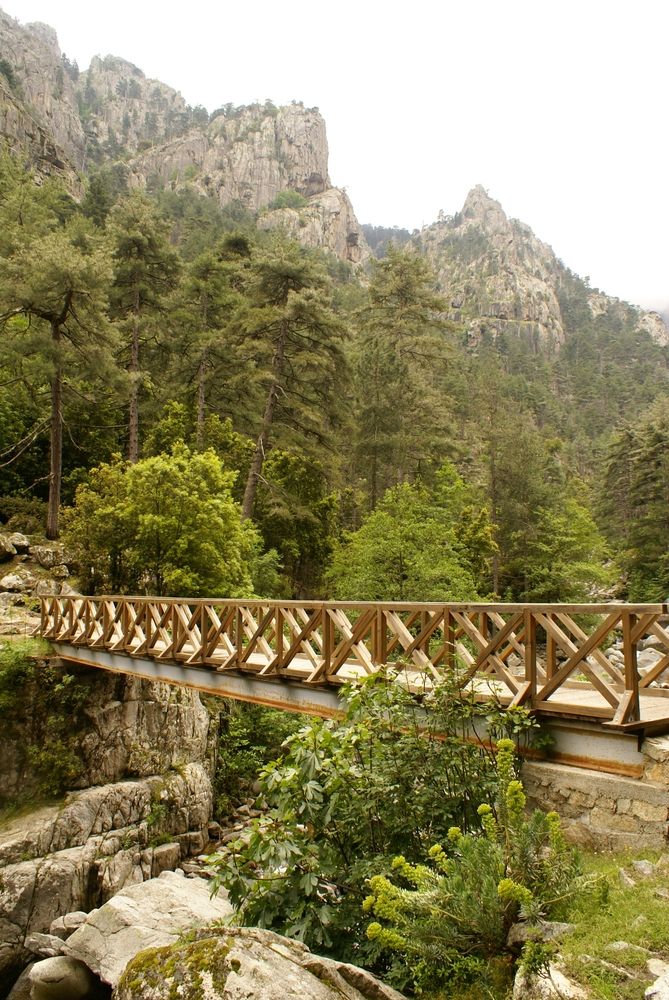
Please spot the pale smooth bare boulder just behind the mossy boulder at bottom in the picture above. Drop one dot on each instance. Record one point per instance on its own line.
(149, 915)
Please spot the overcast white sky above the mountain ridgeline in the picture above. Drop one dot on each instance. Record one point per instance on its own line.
(560, 109)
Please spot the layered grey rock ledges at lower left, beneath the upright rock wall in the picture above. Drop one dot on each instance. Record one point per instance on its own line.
(73, 858)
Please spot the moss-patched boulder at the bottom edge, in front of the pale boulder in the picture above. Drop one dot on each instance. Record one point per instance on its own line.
(231, 963)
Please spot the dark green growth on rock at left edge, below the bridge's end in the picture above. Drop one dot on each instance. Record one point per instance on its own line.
(47, 734)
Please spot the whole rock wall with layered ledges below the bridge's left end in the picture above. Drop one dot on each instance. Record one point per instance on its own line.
(144, 804)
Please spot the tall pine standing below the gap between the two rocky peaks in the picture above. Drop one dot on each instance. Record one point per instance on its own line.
(402, 427)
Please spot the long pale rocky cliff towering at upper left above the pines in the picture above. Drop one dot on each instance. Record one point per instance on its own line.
(65, 122)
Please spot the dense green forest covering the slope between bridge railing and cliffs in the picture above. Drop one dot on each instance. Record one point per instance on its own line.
(201, 407)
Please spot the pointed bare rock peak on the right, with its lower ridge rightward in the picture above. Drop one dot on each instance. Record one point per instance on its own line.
(502, 280)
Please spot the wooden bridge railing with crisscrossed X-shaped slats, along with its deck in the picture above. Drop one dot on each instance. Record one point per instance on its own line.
(580, 659)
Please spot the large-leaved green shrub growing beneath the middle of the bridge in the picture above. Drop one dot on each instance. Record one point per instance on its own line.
(345, 797)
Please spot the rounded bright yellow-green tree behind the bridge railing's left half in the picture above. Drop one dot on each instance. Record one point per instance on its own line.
(166, 525)
